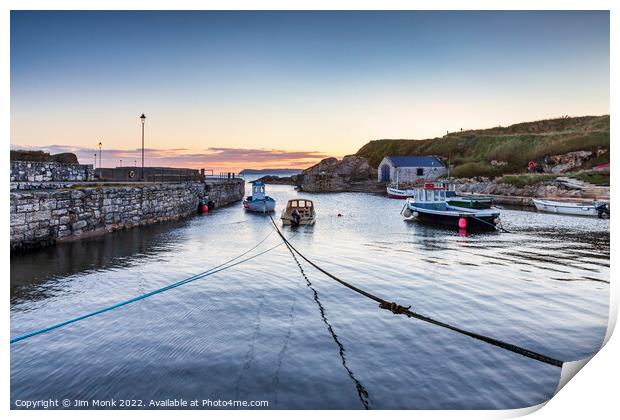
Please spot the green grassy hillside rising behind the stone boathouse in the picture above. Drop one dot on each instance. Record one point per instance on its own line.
(471, 152)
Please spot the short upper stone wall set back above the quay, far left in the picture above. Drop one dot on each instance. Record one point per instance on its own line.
(27, 171)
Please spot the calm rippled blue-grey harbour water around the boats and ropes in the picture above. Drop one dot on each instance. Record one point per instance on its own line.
(258, 331)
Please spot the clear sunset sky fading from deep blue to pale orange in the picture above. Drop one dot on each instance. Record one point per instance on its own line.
(234, 90)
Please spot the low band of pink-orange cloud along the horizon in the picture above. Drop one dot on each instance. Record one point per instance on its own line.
(217, 158)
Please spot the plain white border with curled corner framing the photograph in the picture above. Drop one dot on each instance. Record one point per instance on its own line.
(594, 394)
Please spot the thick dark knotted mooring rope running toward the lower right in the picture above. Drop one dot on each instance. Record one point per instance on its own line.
(405, 310)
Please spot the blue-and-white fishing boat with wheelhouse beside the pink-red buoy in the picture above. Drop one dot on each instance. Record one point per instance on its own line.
(430, 205)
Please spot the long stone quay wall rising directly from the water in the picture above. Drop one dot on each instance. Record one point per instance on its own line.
(40, 217)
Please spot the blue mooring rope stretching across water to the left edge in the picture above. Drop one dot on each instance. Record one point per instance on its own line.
(209, 272)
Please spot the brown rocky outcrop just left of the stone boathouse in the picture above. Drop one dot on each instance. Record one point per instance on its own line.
(352, 173)
